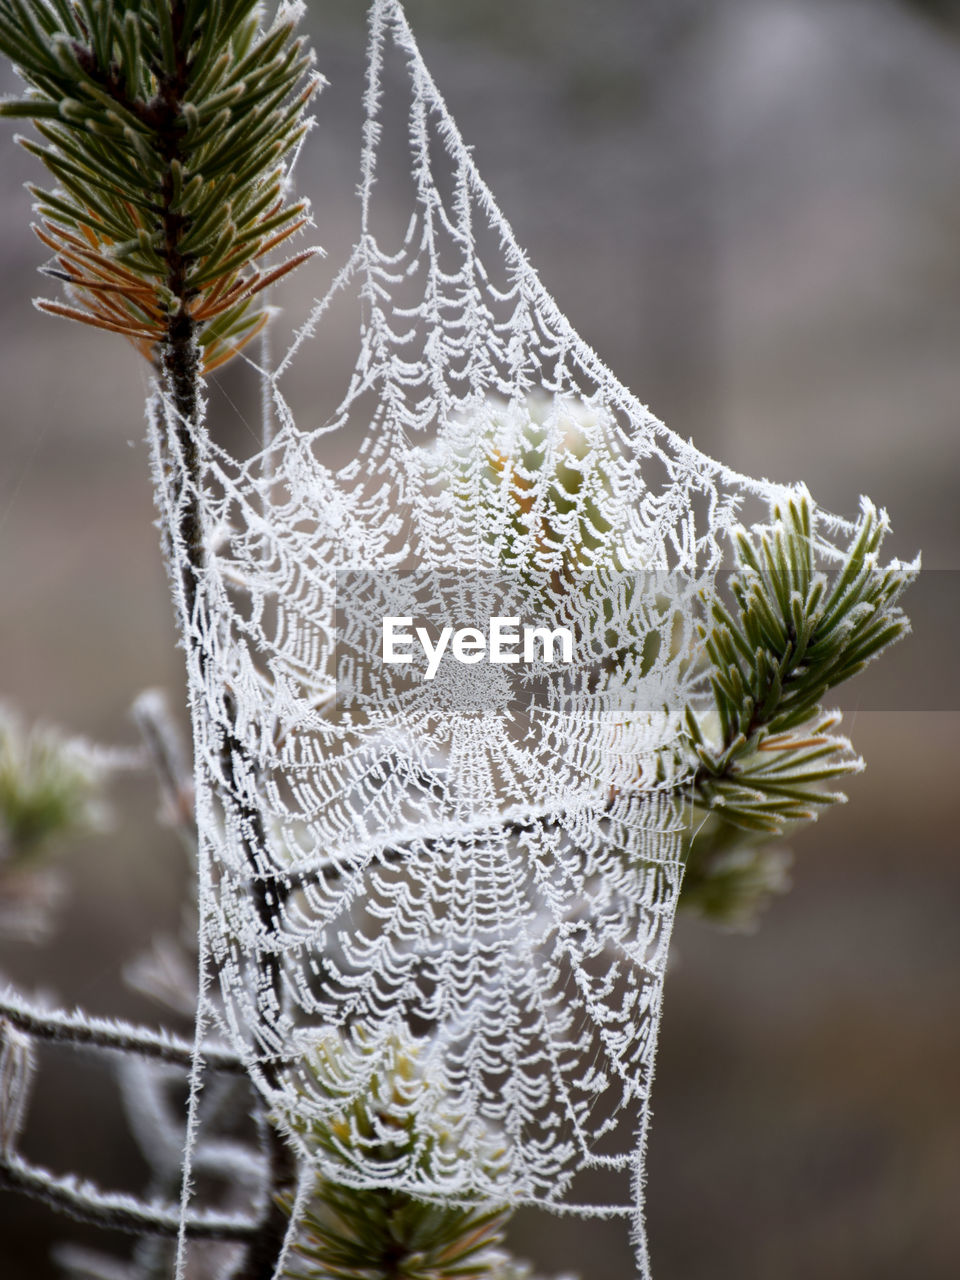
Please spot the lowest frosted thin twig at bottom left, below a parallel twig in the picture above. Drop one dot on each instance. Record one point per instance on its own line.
(115, 1210)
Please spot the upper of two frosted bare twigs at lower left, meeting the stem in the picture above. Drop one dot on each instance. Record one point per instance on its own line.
(83, 1031)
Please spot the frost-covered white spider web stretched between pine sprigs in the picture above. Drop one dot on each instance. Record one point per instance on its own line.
(436, 912)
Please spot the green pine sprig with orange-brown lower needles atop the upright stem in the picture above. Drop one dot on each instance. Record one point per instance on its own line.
(167, 126)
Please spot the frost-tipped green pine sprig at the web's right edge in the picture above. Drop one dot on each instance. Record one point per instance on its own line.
(766, 751)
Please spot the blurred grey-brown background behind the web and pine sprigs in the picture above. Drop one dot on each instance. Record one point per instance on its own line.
(752, 211)
